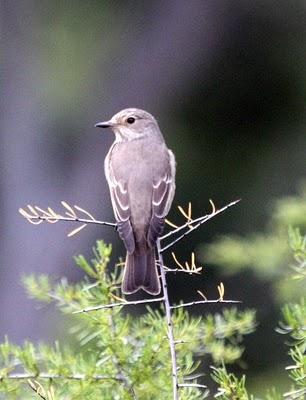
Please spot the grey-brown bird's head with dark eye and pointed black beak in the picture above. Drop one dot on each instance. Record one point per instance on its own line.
(131, 124)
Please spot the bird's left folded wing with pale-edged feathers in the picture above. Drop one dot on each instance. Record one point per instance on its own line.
(122, 211)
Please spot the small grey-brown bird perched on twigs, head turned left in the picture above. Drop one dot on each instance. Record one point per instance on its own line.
(140, 172)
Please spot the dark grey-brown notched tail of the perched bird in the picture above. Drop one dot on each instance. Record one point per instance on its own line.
(140, 272)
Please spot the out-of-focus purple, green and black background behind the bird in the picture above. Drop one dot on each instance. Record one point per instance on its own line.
(227, 83)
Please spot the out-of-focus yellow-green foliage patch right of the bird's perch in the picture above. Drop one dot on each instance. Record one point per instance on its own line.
(267, 253)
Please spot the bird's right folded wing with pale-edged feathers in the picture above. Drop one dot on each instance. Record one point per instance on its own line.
(163, 193)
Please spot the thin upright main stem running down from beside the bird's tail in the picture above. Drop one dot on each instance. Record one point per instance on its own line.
(169, 323)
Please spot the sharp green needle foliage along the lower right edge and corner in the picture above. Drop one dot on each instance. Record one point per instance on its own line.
(293, 325)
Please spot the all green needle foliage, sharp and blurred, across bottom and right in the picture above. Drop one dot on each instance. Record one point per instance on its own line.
(118, 355)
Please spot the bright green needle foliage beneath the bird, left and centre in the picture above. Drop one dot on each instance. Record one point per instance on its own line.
(117, 355)
